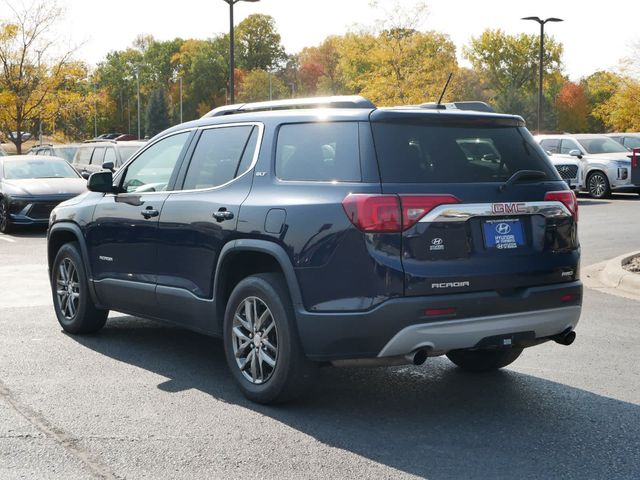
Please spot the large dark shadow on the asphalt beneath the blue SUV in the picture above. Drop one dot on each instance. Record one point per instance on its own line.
(432, 421)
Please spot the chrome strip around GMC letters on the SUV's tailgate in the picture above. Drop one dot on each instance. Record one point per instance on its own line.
(461, 212)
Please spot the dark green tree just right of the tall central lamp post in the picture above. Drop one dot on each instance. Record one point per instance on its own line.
(258, 43)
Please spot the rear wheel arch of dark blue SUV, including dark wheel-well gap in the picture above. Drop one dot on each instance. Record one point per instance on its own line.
(241, 258)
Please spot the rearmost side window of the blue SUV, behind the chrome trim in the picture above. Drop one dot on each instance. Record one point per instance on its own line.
(320, 152)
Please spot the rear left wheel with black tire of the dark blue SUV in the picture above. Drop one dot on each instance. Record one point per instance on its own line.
(292, 372)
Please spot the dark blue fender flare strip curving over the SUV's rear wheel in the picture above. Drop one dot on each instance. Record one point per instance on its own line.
(269, 248)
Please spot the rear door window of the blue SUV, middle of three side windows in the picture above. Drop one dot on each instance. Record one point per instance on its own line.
(217, 156)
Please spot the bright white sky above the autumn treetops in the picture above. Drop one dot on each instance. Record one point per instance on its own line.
(596, 34)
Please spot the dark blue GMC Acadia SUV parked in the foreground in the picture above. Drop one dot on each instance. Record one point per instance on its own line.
(329, 231)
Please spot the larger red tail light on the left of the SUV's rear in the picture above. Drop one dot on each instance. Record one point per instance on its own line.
(390, 213)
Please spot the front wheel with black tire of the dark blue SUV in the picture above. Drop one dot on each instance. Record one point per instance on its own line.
(77, 314)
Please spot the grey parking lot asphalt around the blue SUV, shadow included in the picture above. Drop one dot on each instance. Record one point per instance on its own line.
(144, 400)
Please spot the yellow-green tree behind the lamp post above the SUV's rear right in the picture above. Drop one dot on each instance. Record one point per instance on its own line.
(508, 66)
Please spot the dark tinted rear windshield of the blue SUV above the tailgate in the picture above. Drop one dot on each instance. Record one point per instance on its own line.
(420, 153)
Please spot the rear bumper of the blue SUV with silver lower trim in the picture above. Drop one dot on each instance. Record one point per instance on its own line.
(399, 326)
